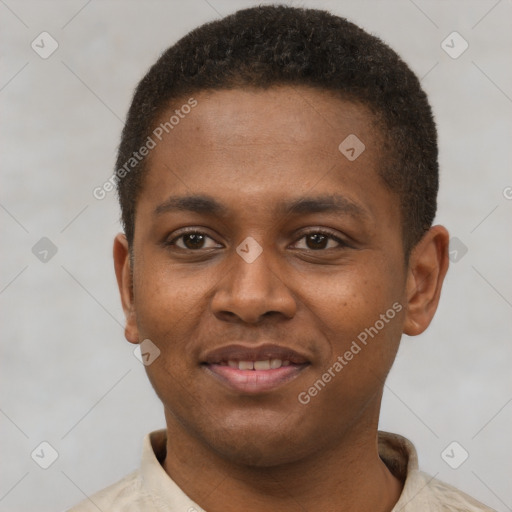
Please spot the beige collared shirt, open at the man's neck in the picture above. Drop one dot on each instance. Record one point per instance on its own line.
(150, 489)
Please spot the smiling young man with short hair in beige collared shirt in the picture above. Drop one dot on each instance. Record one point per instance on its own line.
(277, 176)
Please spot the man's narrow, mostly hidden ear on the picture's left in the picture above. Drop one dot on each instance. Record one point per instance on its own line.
(124, 282)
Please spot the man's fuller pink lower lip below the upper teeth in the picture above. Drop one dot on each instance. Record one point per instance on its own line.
(255, 381)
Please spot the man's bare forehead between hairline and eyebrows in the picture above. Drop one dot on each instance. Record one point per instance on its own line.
(259, 146)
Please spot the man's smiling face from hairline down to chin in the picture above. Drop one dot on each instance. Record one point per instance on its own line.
(269, 272)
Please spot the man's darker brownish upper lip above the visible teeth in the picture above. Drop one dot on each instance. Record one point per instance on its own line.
(239, 352)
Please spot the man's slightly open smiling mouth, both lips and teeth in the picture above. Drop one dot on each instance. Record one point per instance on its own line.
(254, 370)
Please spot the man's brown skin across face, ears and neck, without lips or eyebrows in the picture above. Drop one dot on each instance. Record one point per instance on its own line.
(250, 150)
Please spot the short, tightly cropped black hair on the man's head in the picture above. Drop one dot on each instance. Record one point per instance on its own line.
(273, 45)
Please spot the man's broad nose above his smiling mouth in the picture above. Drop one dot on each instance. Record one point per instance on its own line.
(252, 291)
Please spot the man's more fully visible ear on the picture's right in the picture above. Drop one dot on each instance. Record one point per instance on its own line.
(428, 264)
